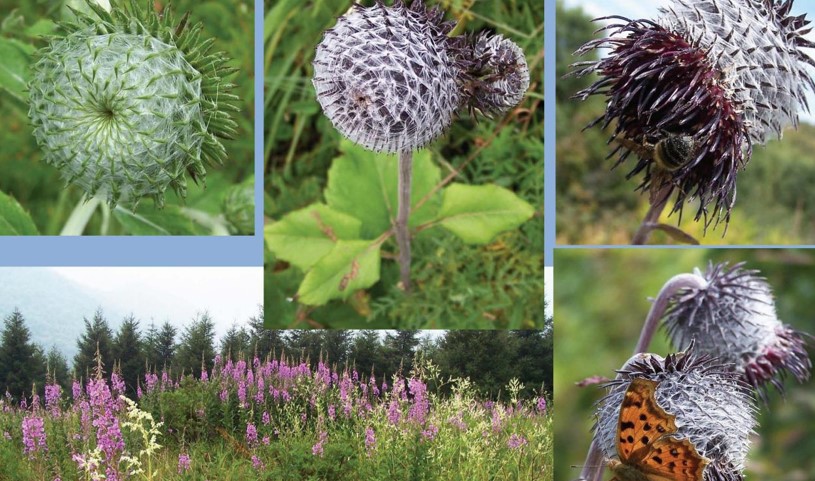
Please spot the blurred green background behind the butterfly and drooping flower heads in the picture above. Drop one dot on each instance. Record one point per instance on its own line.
(601, 298)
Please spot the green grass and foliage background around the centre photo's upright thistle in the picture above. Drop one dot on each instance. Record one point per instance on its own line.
(456, 286)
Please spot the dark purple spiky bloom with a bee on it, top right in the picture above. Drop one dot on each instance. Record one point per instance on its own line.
(660, 84)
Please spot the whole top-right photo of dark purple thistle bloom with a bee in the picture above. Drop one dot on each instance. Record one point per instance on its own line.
(666, 109)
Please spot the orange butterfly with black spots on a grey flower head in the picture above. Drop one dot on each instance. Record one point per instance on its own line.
(645, 445)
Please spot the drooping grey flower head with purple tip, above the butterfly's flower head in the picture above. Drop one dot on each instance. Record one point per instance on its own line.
(733, 318)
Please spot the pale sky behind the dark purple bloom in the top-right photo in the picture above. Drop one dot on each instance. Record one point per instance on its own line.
(648, 9)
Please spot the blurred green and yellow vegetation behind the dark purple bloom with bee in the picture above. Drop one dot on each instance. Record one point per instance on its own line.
(597, 205)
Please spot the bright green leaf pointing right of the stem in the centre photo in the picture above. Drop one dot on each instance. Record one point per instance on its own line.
(476, 214)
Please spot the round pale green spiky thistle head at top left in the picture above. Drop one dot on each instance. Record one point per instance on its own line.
(127, 102)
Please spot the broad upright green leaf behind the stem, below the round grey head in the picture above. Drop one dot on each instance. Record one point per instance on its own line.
(364, 185)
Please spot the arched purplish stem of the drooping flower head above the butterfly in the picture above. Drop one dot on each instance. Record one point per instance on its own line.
(593, 467)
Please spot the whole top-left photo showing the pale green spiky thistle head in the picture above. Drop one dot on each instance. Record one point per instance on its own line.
(127, 117)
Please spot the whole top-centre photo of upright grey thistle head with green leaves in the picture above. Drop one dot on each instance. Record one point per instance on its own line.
(403, 164)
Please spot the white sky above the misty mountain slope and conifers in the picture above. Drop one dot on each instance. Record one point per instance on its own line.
(229, 294)
